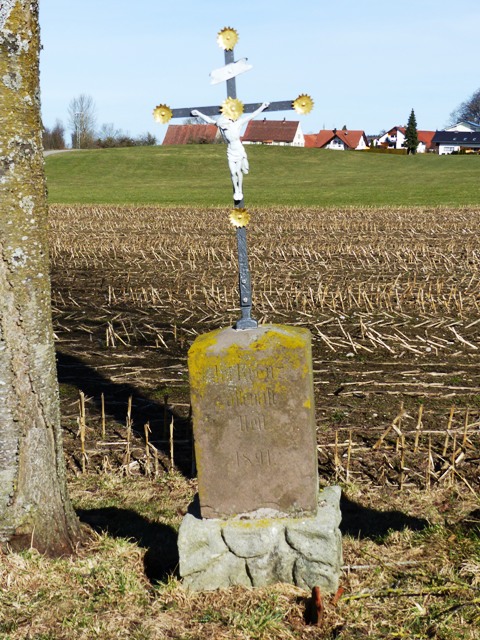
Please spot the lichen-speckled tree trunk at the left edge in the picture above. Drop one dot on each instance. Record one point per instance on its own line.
(34, 506)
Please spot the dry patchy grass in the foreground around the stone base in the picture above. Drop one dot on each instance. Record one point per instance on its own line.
(404, 584)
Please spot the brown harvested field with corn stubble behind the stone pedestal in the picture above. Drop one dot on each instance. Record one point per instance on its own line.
(391, 297)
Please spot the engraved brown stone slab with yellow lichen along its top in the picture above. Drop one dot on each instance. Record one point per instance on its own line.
(253, 420)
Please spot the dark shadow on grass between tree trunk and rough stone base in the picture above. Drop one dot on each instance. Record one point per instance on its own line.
(159, 540)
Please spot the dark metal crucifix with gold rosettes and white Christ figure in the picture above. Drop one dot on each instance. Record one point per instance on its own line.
(230, 124)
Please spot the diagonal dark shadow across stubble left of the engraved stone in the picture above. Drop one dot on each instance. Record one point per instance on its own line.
(73, 371)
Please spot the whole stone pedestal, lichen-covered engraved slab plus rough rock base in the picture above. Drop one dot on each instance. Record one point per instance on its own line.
(260, 519)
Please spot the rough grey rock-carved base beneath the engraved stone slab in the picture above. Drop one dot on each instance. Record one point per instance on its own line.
(258, 551)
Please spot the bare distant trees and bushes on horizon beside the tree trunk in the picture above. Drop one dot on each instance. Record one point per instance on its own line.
(83, 130)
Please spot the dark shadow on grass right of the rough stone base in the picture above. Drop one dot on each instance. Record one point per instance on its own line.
(362, 522)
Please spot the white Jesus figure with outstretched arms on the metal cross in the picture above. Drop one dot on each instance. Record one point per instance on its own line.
(236, 154)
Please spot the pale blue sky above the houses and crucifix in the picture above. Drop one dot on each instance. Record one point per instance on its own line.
(366, 63)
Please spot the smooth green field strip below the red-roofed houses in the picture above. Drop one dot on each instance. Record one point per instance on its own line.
(198, 175)
